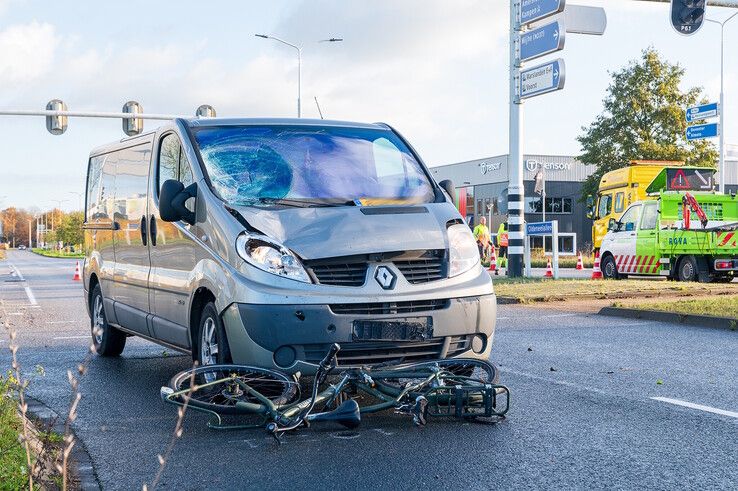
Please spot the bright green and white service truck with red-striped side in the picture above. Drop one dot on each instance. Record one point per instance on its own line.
(683, 236)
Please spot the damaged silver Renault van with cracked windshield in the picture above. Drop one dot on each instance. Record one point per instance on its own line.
(264, 241)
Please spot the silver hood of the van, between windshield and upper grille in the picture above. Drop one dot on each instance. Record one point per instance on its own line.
(317, 233)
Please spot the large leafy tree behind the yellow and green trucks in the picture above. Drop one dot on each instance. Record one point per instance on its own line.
(643, 119)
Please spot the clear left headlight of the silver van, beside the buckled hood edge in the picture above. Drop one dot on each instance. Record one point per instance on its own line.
(270, 256)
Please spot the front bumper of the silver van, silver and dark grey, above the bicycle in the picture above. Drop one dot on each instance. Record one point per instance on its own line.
(295, 338)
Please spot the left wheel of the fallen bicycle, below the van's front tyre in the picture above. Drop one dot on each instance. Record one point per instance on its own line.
(217, 388)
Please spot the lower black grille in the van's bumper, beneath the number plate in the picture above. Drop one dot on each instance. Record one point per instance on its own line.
(374, 352)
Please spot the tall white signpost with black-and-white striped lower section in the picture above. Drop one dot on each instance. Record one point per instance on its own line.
(515, 192)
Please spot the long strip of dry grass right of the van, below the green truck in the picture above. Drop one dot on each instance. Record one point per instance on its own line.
(529, 290)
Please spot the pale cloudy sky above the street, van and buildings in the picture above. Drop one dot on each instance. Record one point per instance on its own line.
(436, 70)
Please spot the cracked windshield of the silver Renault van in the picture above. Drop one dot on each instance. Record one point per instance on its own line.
(312, 165)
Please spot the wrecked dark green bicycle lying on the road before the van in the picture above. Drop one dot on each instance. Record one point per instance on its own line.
(459, 388)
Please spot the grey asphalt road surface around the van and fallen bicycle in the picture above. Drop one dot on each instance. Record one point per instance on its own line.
(583, 411)
